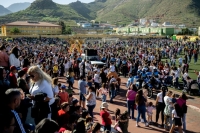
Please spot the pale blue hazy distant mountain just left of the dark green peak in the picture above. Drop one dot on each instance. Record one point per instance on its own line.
(18, 6)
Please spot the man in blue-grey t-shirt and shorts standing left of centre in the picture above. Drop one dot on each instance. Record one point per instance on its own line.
(82, 91)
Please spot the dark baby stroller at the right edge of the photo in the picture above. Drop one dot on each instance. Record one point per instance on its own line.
(193, 88)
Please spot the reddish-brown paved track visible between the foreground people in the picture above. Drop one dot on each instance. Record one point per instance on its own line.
(193, 115)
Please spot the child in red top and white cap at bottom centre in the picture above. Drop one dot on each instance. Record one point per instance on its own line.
(105, 116)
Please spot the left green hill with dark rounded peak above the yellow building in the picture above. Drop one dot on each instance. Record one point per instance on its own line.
(43, 10)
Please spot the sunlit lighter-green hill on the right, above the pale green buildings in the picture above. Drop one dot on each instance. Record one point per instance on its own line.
(178, 11)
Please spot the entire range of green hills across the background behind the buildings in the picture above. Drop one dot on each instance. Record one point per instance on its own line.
(114, 11)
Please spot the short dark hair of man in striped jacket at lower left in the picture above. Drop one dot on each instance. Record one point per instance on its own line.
(11, 95)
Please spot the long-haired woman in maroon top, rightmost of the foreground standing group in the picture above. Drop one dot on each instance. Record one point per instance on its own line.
(181, 101)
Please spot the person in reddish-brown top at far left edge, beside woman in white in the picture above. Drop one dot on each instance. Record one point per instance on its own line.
(4, 59)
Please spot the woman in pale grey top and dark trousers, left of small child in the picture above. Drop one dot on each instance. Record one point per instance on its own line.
(91, 100)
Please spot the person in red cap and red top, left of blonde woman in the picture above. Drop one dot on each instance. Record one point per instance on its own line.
(12, 77)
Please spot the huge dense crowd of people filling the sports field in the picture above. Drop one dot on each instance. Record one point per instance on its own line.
(29, 82)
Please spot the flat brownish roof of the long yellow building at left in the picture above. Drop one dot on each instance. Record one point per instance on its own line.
(31, 23)
